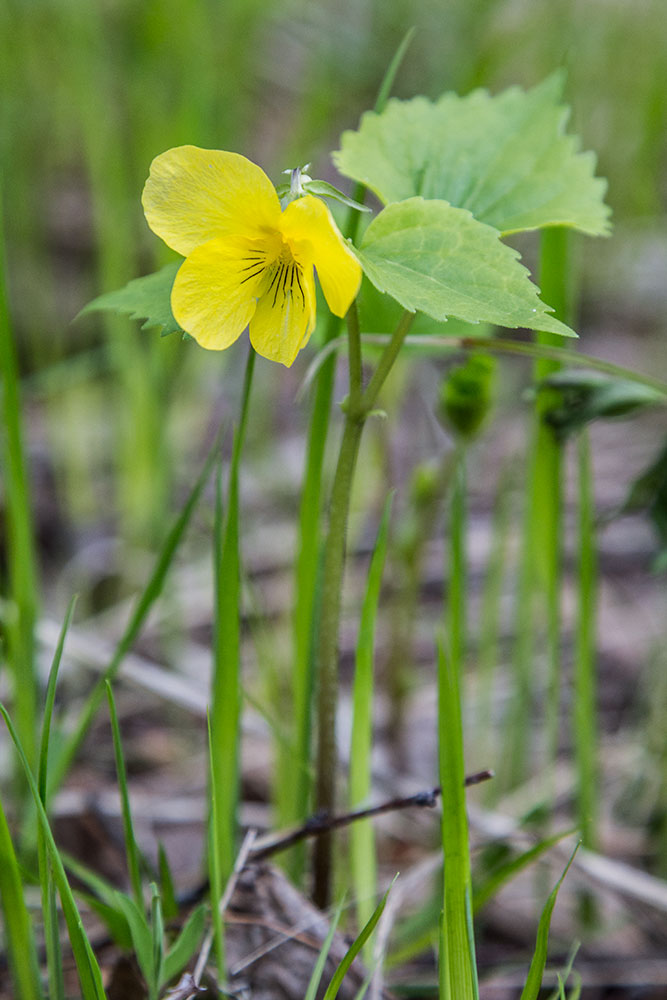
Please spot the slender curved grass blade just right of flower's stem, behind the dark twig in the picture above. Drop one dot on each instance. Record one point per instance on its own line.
(363, 859)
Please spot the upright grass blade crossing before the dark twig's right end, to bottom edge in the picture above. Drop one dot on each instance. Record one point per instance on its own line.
(458, 972)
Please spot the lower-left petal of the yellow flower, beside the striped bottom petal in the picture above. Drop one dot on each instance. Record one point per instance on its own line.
(215, 292)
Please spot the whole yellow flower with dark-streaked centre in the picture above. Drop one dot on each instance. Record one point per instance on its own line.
(246, 260)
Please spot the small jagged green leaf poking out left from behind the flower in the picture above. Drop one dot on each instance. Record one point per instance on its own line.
(147, 299)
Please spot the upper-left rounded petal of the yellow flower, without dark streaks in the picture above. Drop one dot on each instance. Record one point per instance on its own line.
(193, 195)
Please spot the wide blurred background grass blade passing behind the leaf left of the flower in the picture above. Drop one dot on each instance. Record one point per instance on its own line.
(141, 459)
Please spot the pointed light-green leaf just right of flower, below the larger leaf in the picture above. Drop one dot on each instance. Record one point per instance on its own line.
(438, 259)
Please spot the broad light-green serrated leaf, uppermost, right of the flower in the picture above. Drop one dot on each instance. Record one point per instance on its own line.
(506, 158)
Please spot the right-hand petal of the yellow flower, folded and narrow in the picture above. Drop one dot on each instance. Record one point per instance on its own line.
(308, 225)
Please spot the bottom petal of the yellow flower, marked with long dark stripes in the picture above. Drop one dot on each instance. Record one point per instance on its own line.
(285, 316)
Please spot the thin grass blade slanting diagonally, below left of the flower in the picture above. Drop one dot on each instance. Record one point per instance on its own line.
(144, 604)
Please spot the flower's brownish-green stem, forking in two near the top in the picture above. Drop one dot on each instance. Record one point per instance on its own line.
(359, 404)
